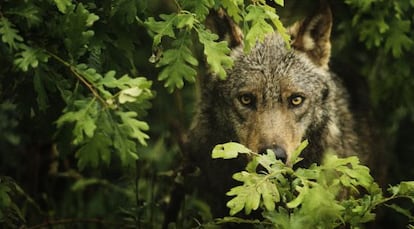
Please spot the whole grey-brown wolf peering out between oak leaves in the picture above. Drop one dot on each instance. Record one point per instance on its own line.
(274, 98)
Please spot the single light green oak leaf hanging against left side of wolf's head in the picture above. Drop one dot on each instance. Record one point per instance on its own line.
(217, 53)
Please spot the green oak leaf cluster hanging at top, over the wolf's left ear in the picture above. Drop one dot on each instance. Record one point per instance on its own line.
(177, 58)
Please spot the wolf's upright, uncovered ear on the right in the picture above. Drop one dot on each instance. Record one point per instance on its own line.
(312, 36)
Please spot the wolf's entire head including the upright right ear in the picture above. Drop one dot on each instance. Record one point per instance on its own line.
(275, 97)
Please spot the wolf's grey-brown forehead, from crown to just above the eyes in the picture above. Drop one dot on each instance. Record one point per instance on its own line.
(271, 67)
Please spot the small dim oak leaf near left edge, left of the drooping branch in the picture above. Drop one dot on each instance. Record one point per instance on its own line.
(30, 57)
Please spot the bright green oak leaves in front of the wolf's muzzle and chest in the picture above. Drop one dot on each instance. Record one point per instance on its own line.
(338, 192)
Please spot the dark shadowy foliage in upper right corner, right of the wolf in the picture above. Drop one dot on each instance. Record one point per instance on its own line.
(386, 30)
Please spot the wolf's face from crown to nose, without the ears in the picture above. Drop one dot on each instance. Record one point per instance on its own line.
(274, 97)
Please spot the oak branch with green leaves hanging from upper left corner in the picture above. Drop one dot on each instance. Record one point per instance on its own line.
(113, 102)
